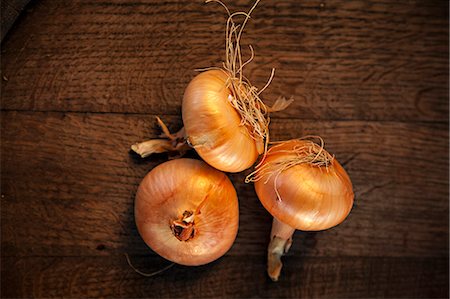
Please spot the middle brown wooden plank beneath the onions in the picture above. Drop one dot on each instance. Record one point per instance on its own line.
(68, 184)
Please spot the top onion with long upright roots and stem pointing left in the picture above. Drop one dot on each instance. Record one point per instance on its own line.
(224, 118)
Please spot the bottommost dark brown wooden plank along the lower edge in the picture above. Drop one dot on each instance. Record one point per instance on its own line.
(340, 277)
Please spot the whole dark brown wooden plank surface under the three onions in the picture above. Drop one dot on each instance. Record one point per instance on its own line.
(83, 80)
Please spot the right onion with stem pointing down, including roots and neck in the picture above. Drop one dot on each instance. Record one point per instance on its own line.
(303, 187)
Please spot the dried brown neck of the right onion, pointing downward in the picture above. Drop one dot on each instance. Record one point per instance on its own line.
(280, 242)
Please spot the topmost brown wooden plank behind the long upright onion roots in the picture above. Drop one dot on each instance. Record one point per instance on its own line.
(359, 60)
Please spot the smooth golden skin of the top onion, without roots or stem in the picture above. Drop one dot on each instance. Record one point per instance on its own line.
(214, 127)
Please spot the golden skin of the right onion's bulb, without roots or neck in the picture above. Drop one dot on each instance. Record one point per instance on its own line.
(312, 198)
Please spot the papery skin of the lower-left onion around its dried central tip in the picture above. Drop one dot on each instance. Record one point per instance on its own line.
(182, 185)
